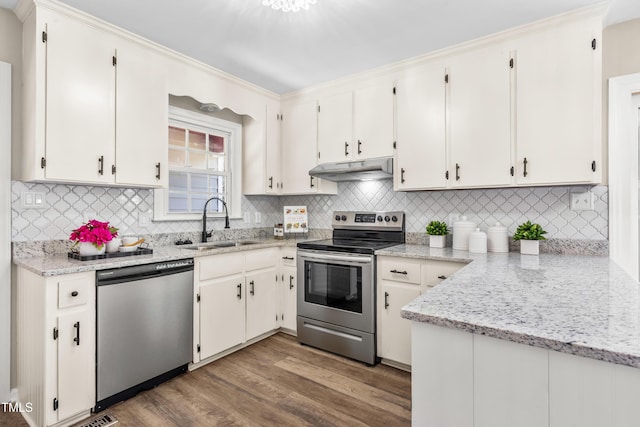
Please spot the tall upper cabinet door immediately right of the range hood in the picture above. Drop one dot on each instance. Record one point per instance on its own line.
(420, 120)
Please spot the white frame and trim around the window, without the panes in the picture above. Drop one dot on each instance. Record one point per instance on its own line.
(199, 122)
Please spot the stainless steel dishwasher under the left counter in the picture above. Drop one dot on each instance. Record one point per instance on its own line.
(144, 327)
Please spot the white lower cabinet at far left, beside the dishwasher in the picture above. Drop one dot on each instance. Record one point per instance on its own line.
(56, 346)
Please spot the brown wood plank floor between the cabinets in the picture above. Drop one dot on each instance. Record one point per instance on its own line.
(275, 382)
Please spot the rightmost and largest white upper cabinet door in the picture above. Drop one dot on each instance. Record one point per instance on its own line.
(558, 94)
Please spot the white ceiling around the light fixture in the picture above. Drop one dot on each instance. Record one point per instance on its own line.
(284, 52)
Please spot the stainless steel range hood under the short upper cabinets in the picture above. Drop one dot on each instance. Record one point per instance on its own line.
(359, 170)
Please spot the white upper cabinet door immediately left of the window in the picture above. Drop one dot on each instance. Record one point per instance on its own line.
(142, 104)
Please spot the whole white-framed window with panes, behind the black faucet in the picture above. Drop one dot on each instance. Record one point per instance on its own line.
(204, 153)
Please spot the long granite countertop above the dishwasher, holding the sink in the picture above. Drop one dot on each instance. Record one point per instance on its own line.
(54, 265)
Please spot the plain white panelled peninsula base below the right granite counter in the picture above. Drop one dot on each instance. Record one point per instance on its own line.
(463, 379)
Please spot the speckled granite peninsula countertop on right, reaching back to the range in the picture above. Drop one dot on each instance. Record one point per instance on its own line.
(581, 305)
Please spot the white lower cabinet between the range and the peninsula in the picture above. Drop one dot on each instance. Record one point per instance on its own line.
(400, 281)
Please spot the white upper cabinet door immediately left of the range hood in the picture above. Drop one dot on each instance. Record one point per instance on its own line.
(299, 135)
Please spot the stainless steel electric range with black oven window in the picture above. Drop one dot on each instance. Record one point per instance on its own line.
(336, 283)
